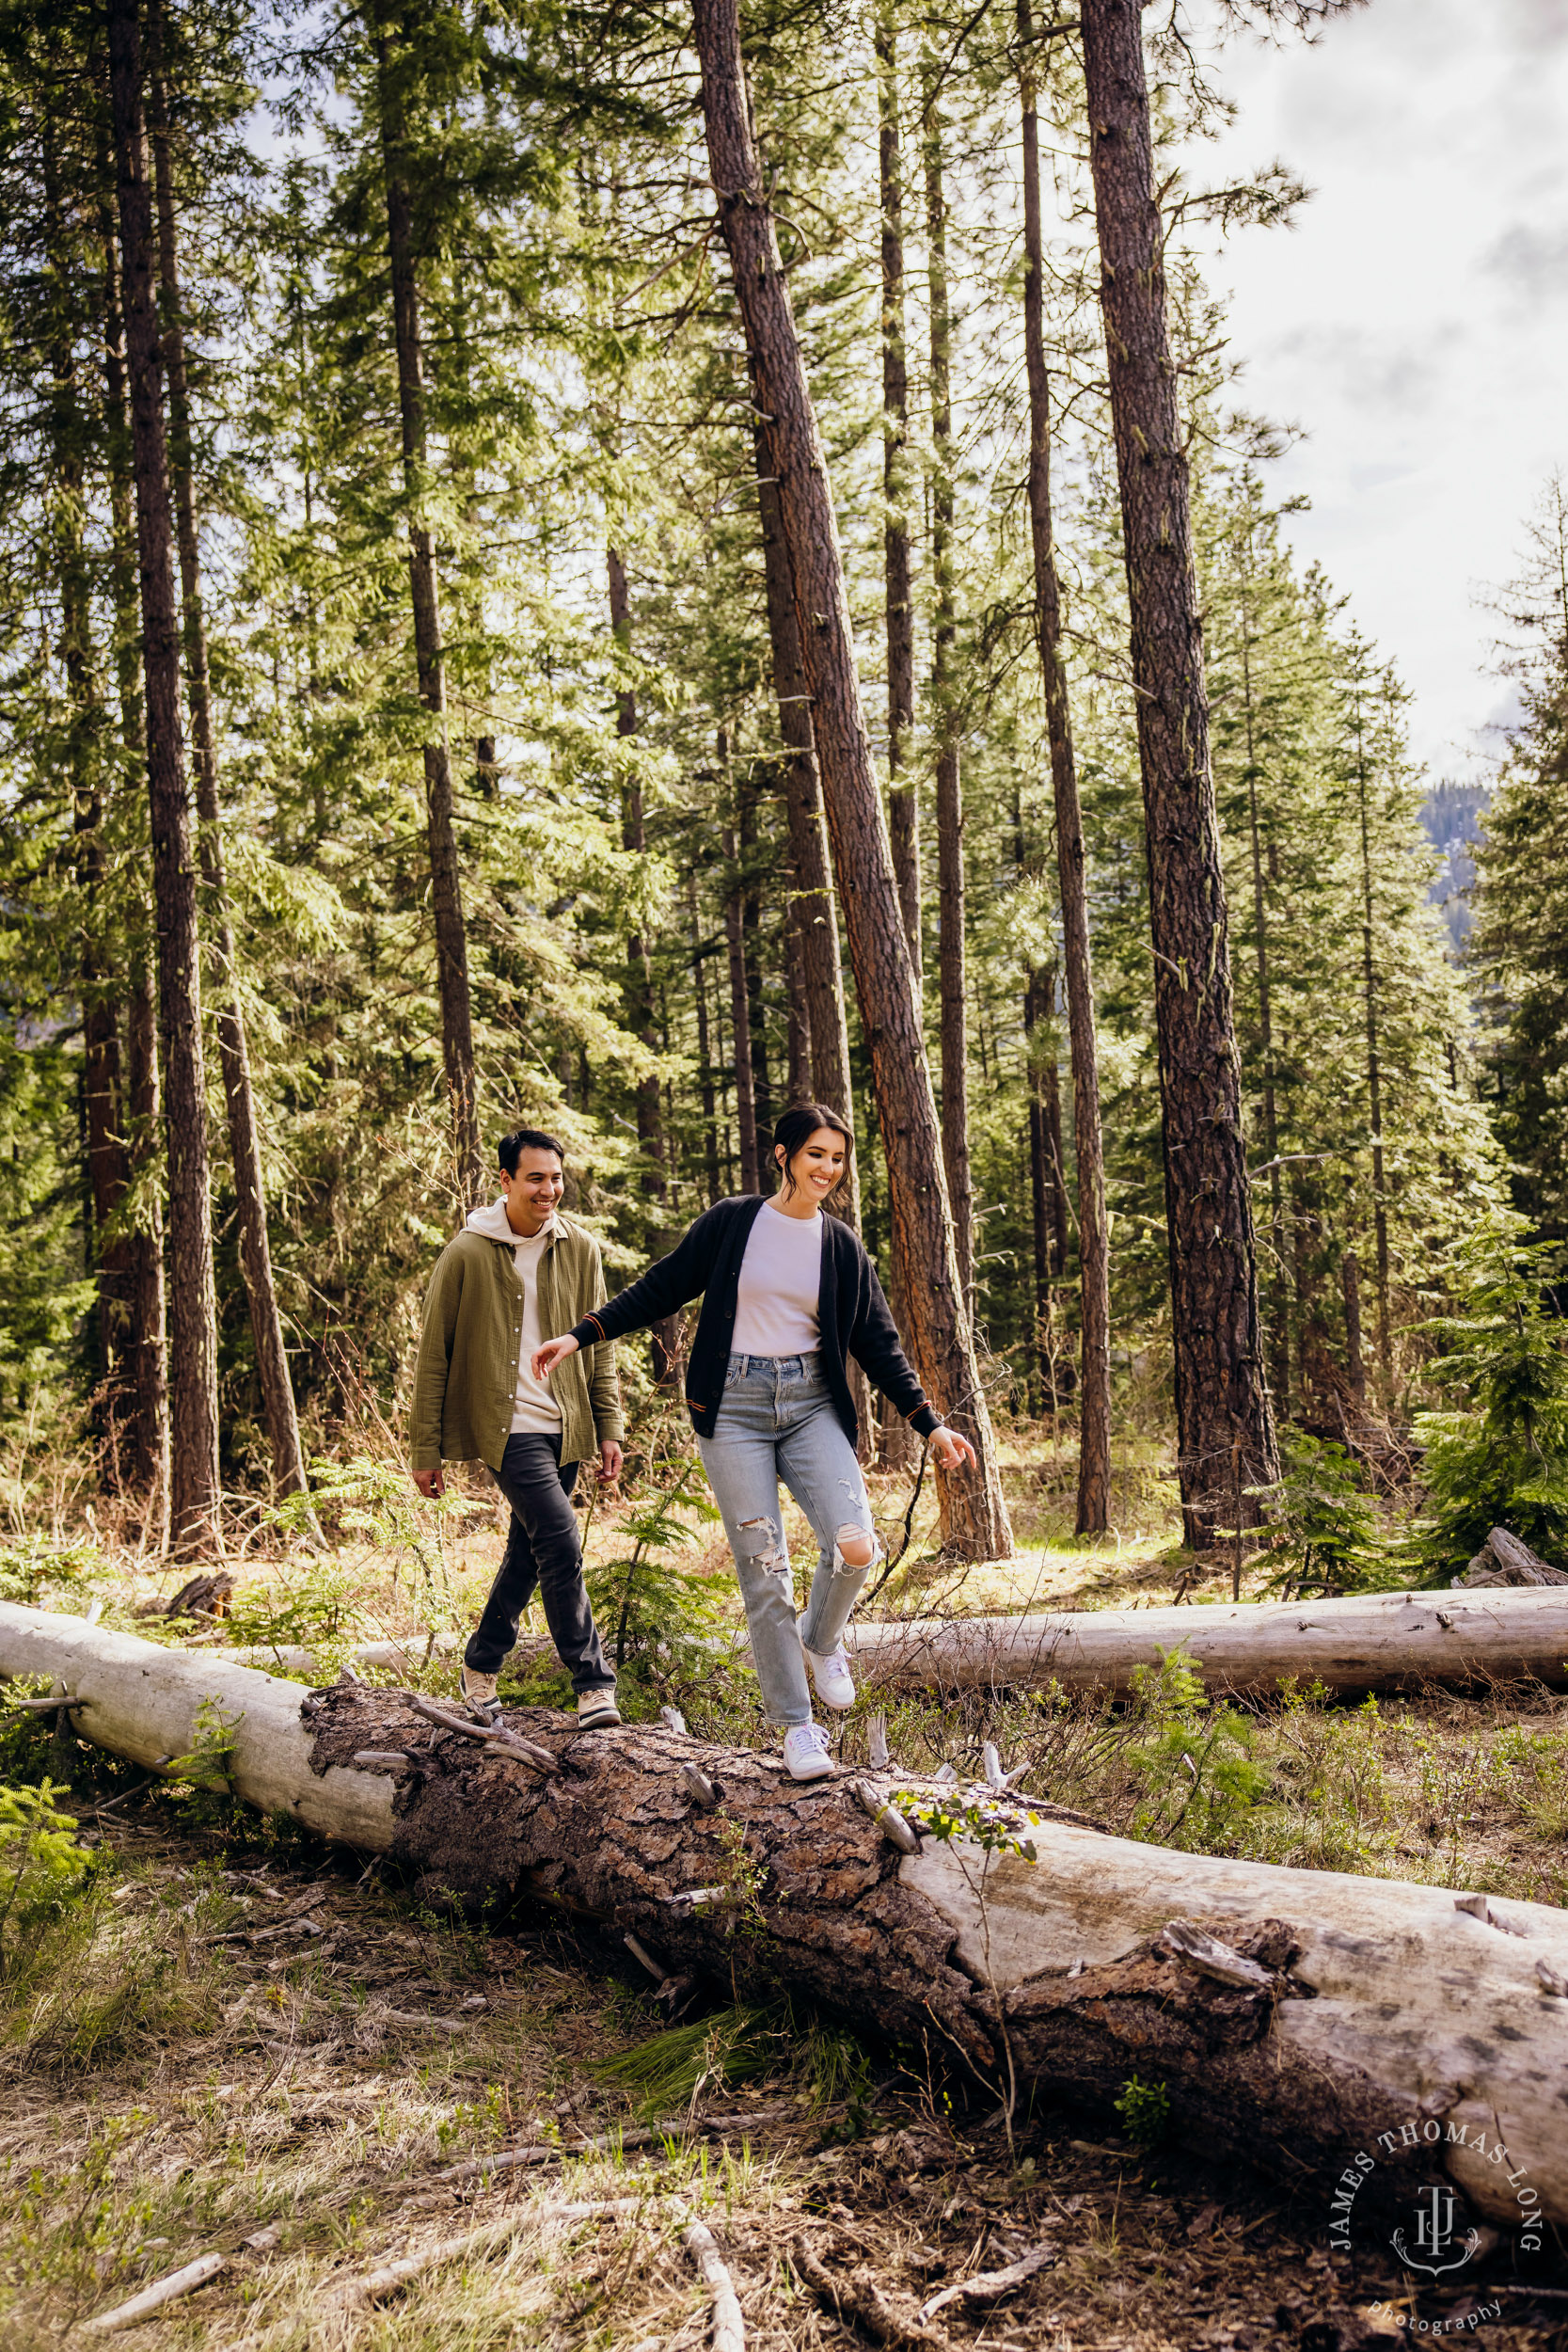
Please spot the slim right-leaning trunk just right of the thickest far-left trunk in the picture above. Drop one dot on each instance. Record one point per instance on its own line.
(234, 1055)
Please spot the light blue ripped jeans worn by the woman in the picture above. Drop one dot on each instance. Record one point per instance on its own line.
(777, 1422)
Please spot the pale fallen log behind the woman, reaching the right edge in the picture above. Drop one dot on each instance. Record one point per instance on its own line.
(1365, 1643)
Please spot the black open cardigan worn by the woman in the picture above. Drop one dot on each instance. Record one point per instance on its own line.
(706, 1262)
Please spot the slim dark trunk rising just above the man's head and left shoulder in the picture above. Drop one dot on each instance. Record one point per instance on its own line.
(429, 655)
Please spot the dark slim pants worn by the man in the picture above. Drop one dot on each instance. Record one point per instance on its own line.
(542, 1553)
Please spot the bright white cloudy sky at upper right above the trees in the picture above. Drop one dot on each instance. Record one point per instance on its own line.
(1416, 319)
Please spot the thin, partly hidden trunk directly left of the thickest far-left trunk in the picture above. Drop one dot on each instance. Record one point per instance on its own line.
(145, 1283)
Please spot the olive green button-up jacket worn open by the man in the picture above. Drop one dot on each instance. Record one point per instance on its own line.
(467, 1375)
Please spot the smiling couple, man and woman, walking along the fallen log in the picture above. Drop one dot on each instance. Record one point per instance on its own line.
(518, 1370)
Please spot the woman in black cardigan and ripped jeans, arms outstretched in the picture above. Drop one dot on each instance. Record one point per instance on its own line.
(789, 1295)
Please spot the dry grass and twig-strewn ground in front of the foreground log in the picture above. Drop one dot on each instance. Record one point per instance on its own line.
(168, 2092)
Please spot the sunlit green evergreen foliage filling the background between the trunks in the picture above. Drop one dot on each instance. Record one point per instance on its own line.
(619, 789)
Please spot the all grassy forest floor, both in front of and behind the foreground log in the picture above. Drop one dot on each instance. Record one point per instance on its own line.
(175, 2078)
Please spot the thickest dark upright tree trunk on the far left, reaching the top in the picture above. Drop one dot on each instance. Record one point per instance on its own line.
(194, 1363)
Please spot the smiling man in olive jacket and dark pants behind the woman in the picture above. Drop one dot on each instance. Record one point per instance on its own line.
(518, 1276)
